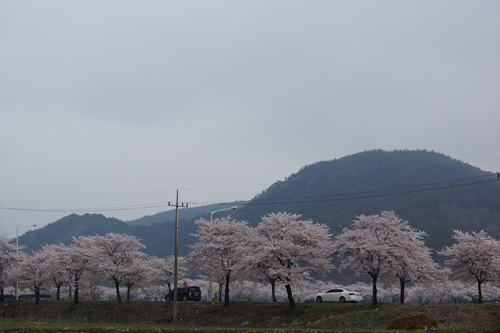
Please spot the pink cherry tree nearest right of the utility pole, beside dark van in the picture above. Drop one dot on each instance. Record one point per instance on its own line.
(221, 248)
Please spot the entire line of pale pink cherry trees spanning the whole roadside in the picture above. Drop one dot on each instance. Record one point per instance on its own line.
(282, 250)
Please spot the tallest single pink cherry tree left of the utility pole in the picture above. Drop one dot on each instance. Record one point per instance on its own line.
(116, 257)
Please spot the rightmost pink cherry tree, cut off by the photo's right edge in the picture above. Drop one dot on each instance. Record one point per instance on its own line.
(476, 255)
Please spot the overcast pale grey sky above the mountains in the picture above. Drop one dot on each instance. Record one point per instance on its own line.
(116, 104)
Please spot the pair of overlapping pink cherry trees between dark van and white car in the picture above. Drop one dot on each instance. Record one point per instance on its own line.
(281, 248)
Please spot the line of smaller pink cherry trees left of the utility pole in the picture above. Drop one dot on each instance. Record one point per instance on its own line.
(115, 258)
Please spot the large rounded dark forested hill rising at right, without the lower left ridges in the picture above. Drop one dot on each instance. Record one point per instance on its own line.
(434, 192)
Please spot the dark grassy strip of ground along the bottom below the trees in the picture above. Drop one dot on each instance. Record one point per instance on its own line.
(111, 317)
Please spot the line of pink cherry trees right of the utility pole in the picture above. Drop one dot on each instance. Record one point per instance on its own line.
(283, 248)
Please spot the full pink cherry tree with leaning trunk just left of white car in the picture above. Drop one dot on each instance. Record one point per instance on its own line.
(290, 248)
